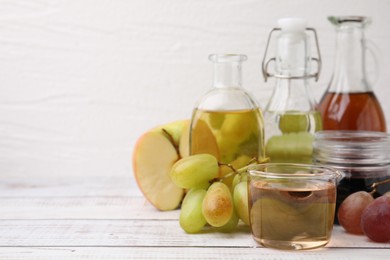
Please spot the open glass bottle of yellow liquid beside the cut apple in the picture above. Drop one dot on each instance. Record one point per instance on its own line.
(227, 122)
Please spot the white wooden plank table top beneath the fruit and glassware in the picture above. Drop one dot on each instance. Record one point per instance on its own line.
(105, 217)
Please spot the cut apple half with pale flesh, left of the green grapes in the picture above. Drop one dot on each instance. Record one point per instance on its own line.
(154, 155)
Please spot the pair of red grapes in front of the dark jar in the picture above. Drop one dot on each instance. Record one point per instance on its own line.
(360, 213)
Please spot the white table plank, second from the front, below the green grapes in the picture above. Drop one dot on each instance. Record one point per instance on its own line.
(138, 233)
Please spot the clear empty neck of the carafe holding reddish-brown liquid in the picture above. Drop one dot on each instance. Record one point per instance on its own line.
(349, 74)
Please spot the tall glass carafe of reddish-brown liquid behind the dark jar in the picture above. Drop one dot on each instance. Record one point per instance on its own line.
(349, 102)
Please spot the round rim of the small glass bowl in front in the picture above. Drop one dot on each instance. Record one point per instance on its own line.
(322, 172)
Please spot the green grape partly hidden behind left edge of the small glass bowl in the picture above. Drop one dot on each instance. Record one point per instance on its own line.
(240, 198)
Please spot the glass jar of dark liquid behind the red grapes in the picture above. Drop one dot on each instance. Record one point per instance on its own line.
(363, 157)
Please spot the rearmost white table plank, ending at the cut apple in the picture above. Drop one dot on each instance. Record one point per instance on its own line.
(37, 185)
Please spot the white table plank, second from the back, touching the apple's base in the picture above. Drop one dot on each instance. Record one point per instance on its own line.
(81, 208)
